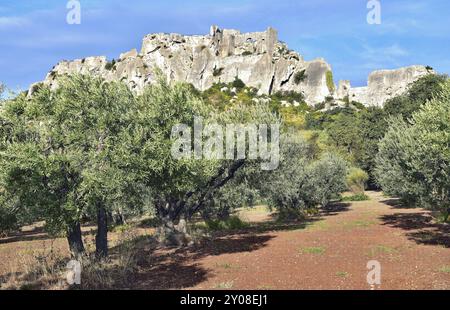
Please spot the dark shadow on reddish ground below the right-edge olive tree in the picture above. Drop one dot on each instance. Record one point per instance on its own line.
(421, 228)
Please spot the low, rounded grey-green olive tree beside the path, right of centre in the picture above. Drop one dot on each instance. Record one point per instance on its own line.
(302, 183)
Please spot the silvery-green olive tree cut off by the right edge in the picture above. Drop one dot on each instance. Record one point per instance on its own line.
(414, 158)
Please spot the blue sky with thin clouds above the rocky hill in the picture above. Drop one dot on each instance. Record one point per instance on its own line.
(34, 35)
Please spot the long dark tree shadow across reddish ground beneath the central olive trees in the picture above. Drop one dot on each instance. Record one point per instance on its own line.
(179, 268)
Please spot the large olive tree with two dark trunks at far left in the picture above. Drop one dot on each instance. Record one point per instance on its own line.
(66, 152)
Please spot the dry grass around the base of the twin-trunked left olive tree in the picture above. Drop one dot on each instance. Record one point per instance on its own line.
(47, 268)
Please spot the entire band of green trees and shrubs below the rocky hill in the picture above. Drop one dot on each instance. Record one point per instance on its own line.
(92, 151)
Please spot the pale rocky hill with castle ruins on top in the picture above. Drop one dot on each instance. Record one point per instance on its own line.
(259, 59)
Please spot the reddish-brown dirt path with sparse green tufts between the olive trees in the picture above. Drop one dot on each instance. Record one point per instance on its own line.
(330, 253)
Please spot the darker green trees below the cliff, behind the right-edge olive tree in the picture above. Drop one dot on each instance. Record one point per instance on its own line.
(355, 132)
